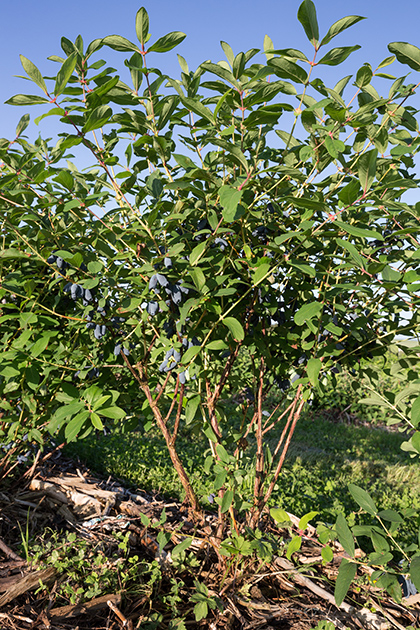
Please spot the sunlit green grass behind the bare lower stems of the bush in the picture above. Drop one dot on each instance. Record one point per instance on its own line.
(323, 458)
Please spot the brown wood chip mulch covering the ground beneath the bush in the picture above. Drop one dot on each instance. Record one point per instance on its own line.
(61, 495)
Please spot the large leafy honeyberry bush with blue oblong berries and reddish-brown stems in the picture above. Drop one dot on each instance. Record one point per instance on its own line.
(205, 236)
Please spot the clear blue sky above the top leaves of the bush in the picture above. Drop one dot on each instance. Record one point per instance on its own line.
(34, 29)
